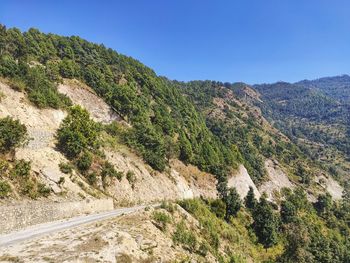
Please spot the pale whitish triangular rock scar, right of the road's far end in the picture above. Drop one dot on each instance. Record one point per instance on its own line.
(241, 181)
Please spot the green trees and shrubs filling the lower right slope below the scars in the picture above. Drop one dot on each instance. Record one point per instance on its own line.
(299, 232)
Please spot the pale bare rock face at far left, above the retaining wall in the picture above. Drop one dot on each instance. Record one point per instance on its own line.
(42, 125)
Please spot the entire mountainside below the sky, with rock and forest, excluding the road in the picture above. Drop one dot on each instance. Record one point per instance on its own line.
(87, 128)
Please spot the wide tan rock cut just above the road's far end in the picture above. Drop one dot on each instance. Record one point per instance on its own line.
(150, 185)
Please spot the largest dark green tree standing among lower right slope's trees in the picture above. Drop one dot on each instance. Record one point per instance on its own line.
(265, 223)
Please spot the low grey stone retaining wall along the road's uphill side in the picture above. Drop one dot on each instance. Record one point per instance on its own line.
(14, 217)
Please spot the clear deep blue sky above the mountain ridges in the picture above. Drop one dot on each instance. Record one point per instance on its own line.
(244, 40)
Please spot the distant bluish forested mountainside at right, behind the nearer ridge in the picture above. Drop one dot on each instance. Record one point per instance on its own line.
(314, 115)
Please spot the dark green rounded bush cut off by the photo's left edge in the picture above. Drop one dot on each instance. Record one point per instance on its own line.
(12, 134)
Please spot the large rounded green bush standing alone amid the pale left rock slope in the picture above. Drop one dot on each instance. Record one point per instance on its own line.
(77, 133)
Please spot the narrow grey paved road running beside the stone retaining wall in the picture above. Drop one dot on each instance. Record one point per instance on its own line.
(47, 228)
